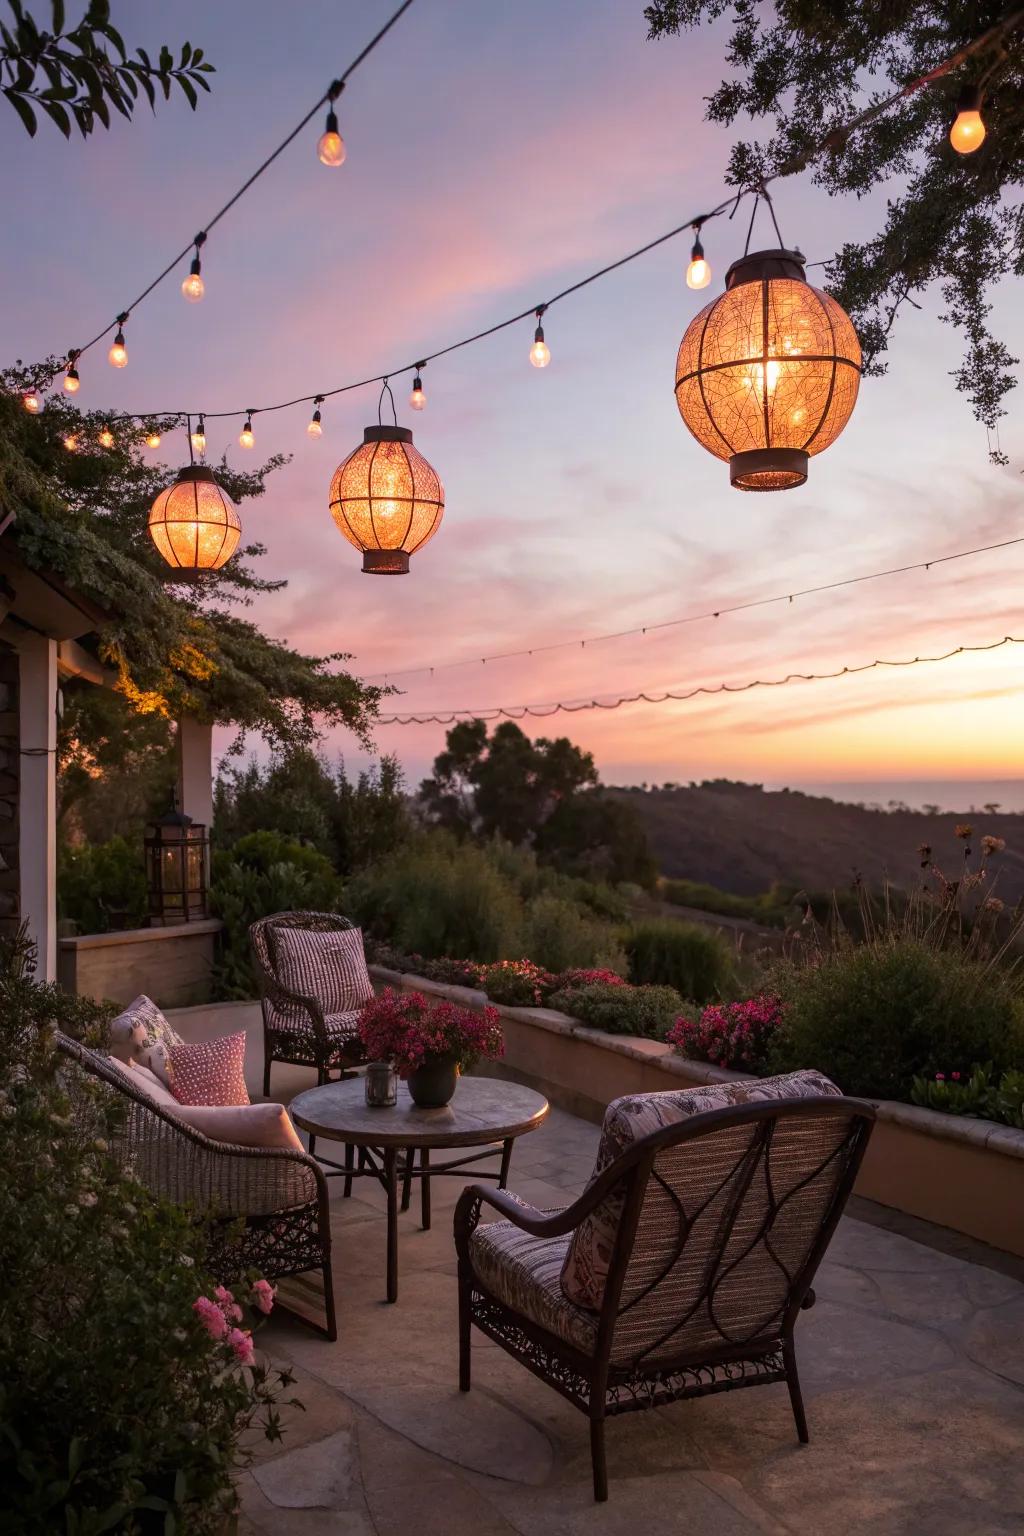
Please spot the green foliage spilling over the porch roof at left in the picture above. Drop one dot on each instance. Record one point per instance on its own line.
(176, 649)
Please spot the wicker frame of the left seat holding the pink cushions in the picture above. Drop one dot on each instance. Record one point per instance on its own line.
(277, 1193)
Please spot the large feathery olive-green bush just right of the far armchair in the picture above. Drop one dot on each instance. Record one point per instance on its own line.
(440, 898)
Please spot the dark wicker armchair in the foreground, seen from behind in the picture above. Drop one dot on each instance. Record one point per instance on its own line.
(725, 1220)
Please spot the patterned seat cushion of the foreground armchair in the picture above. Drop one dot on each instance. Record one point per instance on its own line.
(524, 1273)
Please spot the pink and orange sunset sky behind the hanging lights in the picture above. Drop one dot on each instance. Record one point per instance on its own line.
(497, 154)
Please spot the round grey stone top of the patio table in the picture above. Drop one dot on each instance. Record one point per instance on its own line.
(483, 1110)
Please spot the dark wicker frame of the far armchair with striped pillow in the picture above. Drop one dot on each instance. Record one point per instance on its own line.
(296, 1028)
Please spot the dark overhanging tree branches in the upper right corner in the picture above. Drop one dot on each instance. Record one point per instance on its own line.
(953, 219)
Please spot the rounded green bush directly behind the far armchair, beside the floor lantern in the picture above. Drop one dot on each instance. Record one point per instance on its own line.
(262, 875)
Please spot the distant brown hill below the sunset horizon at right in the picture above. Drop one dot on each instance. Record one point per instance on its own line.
(742, 839)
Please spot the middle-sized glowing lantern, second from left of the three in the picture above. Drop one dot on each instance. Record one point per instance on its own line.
(388, 500)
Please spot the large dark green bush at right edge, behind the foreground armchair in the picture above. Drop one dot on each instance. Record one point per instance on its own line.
(877, 1016)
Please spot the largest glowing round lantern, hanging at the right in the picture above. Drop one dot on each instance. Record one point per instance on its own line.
(770, 372)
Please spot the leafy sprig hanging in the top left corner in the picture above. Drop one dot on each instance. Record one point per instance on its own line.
(76, 74)
